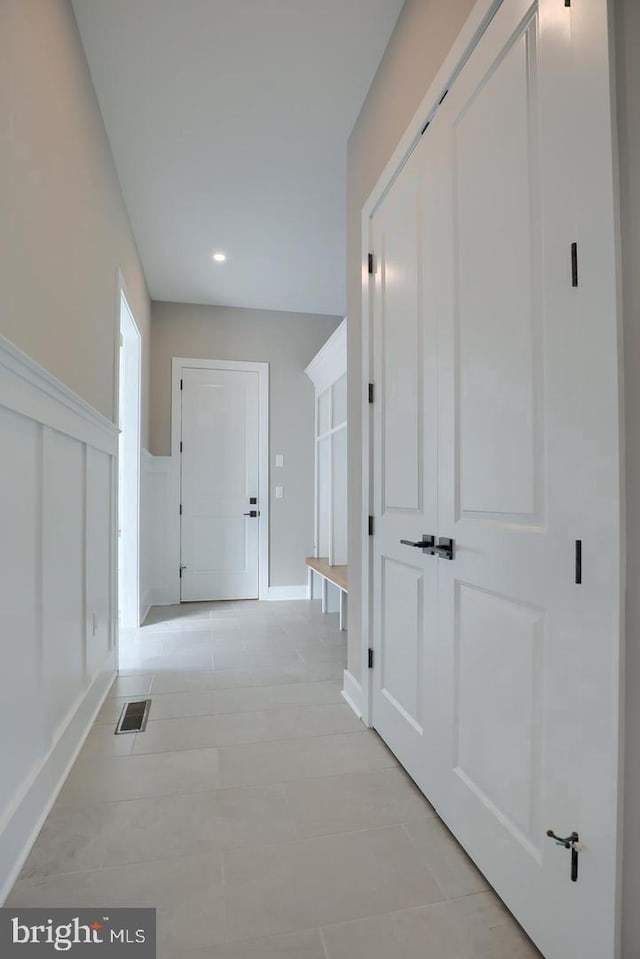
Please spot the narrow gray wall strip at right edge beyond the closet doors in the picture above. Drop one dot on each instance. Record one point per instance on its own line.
(628, 97)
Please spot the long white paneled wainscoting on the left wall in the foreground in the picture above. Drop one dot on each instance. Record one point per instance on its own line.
(58, 487)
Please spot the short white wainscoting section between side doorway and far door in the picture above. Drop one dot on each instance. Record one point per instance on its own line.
(160, 537)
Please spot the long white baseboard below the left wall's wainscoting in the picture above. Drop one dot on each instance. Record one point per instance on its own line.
(20, 830)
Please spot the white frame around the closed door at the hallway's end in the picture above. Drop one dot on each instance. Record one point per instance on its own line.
(178, 365)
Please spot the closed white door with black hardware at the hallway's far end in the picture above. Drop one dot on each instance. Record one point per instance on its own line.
(220, 477)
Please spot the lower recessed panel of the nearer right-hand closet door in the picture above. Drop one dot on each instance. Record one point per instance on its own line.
(497, 710)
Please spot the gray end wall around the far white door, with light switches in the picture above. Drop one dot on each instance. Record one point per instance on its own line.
(287, 341)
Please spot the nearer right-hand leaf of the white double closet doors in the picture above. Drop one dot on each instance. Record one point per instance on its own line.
(528, 454)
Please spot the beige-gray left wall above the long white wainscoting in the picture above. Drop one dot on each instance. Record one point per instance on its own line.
(63, 225)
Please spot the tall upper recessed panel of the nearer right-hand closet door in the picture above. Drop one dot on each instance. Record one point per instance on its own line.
(497, 259)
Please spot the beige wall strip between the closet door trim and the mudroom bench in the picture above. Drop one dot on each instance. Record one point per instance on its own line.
(423, 35)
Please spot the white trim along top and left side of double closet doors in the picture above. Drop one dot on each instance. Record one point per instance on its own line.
(467, 39)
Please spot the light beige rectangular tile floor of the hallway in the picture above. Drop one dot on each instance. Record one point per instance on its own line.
(256, 813)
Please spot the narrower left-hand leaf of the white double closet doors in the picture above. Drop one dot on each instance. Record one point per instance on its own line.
(405, 471)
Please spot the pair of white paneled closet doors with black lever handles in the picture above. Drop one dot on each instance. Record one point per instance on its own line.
(496, 426)
